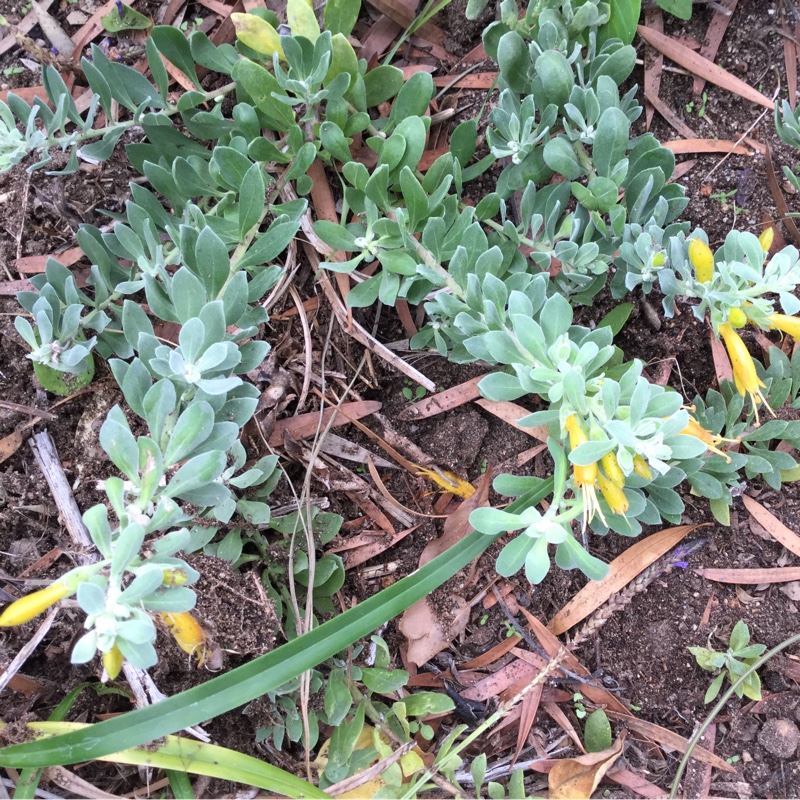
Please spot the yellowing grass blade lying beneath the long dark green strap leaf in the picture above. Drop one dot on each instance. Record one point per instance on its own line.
(180, 756)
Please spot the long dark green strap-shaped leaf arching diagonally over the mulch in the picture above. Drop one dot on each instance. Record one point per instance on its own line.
(241, 685)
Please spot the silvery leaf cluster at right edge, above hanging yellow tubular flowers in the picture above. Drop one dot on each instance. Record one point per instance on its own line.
(743, 275)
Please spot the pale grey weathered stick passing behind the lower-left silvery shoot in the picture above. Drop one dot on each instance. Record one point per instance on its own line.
(47, 459)
